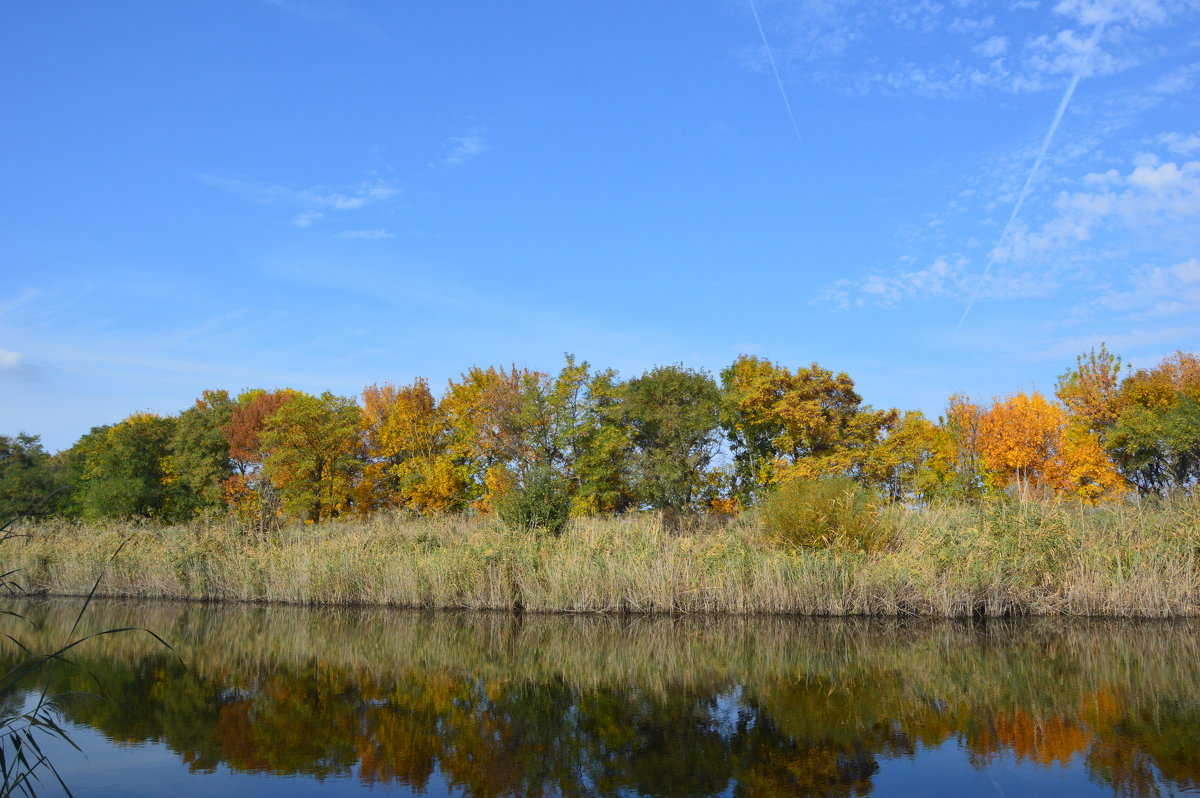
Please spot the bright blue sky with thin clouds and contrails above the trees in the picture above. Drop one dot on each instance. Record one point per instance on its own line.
(325, 195)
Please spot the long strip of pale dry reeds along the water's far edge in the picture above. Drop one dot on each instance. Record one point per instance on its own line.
(1121, 561)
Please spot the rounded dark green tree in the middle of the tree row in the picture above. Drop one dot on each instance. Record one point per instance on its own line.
(674, 416)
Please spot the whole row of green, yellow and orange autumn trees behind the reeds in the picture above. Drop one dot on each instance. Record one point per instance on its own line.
(673, 439)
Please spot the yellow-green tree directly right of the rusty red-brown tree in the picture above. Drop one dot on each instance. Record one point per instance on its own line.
(313, 454)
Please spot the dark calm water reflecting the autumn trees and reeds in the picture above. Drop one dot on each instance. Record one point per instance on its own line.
(293, 701)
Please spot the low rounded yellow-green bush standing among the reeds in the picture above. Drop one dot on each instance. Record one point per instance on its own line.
(826, 513)
